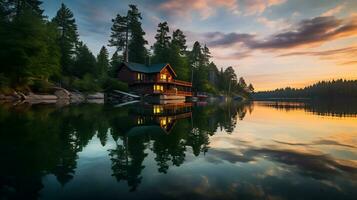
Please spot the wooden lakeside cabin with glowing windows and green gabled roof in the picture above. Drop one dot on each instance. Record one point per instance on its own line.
(158, 79)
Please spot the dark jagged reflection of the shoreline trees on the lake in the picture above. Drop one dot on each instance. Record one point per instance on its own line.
(49, 139)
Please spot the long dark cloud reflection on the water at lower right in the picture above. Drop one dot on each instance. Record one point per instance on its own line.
(318, 166)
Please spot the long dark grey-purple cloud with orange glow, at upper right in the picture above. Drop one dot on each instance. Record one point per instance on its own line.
(309, 32)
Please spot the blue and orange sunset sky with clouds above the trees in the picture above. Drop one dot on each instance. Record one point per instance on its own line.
(271, 43)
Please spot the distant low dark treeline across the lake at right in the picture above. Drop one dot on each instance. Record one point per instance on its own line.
(324, 89)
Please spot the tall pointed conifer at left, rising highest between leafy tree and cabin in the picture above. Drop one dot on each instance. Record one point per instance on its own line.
(68, 37)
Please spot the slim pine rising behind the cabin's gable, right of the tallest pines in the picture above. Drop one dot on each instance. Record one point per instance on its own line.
(161, 46)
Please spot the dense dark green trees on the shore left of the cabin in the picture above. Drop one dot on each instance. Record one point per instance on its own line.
(38, 54)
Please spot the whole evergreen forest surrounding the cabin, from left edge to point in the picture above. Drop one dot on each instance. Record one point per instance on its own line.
(38, 53)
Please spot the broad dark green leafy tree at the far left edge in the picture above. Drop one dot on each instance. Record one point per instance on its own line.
(28, 49)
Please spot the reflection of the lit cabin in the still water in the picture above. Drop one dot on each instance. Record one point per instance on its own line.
(151, 119)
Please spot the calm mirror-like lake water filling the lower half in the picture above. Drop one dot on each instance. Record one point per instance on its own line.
(262, 150)
